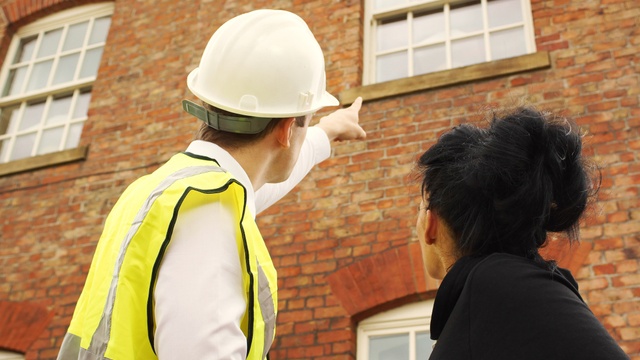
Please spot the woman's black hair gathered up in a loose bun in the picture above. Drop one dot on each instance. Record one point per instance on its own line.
(501, 188)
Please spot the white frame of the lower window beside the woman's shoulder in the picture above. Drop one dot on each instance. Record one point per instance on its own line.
(410, 318)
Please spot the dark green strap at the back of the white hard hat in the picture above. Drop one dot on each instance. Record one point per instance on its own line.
(229, 123)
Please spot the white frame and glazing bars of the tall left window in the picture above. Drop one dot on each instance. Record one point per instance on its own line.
(60, 19)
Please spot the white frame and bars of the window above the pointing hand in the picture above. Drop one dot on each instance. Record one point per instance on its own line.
(372, 17)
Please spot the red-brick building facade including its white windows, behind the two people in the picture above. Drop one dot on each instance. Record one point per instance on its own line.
(90, 101)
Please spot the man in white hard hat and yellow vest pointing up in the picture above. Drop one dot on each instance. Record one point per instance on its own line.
(181, 271)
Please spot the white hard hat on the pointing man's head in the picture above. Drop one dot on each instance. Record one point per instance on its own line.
(265, 63)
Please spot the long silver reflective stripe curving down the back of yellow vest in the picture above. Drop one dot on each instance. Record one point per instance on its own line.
(101, 336)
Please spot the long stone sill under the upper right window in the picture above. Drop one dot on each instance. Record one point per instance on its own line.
(535, 61)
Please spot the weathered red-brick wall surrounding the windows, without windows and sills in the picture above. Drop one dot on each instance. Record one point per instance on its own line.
(356, 210)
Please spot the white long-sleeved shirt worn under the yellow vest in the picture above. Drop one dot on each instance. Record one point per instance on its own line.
(199, 299)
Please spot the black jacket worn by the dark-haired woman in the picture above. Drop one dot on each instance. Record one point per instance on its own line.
(507, 307)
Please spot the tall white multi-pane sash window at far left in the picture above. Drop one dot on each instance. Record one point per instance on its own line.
(46, 81)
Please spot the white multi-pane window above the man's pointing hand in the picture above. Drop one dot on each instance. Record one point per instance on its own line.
(413, 37)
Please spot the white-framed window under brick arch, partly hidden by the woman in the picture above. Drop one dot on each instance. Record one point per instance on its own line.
(398, 334)
